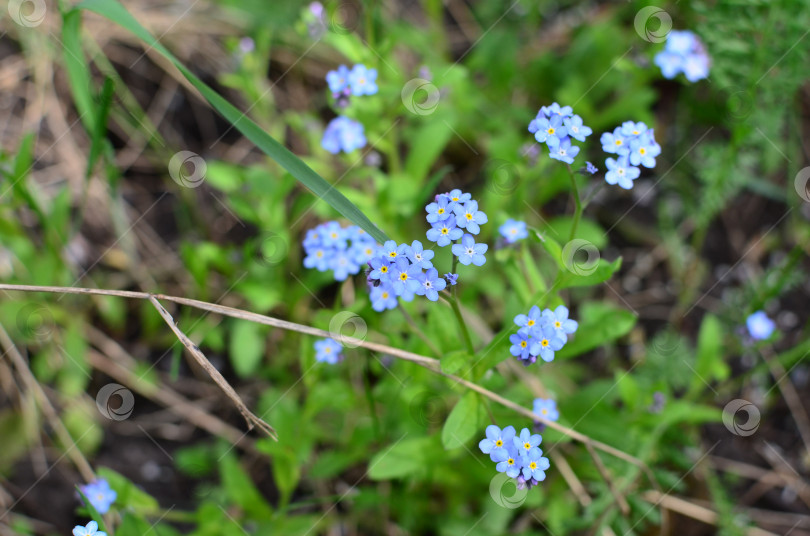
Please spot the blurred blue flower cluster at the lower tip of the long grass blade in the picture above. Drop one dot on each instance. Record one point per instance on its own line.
(341, 249)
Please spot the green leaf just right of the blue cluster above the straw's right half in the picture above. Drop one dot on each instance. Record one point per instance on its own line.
(599, 324)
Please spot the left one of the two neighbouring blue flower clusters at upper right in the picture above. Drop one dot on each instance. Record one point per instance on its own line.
(556, 126)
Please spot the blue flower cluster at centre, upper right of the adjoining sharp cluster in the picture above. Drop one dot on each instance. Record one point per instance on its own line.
(453, 216)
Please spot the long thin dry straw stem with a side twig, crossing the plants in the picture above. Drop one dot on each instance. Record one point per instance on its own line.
(427, 362)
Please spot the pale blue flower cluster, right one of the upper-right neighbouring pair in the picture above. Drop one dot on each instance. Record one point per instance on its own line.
(635, 145)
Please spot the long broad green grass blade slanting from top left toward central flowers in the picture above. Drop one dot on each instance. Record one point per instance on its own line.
(114, 11)
